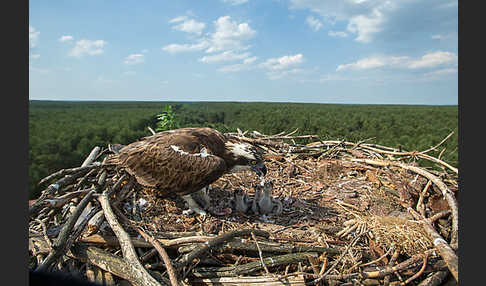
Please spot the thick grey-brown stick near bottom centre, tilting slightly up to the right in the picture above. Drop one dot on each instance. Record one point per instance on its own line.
(251, 267)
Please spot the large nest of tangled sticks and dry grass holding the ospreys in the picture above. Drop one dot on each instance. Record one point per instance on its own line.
(354, 213)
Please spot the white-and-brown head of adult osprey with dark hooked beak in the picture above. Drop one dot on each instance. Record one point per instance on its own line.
(246, 157)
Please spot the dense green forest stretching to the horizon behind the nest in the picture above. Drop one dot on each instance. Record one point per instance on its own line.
(62, 133)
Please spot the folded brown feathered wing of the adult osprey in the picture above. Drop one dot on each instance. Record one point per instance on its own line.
(175, 164)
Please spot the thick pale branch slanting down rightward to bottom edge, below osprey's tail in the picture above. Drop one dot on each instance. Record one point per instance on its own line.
(138, 275)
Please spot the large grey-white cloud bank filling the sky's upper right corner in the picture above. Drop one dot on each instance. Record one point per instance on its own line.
(367, 20)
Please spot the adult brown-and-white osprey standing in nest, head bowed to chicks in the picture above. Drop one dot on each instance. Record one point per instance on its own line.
(185, 161)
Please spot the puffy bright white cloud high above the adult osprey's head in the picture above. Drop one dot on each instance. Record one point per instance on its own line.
(229, 35)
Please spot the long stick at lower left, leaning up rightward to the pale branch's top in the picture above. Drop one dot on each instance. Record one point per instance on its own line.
(60, 245)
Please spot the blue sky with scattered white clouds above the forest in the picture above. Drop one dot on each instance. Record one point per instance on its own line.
(347, 51)
